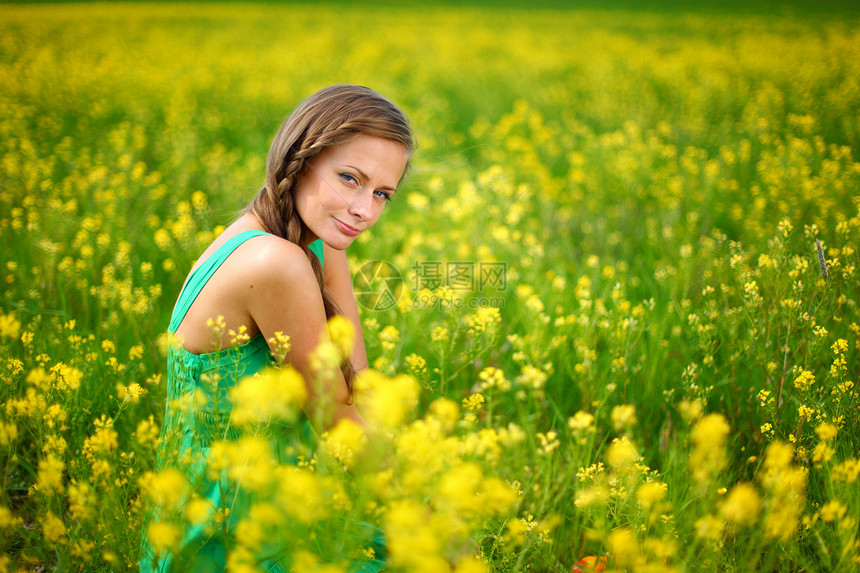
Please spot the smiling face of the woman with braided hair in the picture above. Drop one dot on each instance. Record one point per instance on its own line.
(345, 188)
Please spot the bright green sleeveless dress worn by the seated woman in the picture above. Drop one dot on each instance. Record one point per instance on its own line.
(187, 434)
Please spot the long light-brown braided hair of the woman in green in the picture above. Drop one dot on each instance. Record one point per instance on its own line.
(333, 116)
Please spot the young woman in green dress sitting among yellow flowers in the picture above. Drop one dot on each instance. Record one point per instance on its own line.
(333, 165)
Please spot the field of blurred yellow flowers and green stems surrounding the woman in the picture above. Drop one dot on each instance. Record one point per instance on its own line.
(617, 313)
